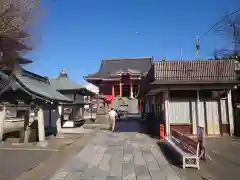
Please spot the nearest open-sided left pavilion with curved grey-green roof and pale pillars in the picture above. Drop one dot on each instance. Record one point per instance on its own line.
(21, 88)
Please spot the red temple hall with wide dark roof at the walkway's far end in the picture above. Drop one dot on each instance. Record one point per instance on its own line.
(120, 77)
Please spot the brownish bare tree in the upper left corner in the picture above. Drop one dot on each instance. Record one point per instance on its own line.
(16, 18)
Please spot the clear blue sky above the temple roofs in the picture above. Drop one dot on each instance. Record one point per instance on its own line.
(77, 34)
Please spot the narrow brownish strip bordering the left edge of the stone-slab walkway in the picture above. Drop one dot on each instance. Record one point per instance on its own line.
(46, 168)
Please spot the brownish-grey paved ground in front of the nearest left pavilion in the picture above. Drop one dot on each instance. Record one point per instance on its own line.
(18, 159)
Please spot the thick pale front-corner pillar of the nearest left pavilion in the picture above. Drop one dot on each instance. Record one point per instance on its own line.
(41, 130)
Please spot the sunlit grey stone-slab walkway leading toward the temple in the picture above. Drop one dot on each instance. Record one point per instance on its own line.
(116, 156)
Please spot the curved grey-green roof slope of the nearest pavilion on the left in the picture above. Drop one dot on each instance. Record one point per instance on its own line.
(39, 85)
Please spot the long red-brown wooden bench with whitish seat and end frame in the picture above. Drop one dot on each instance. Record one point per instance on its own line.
(186, 147)
